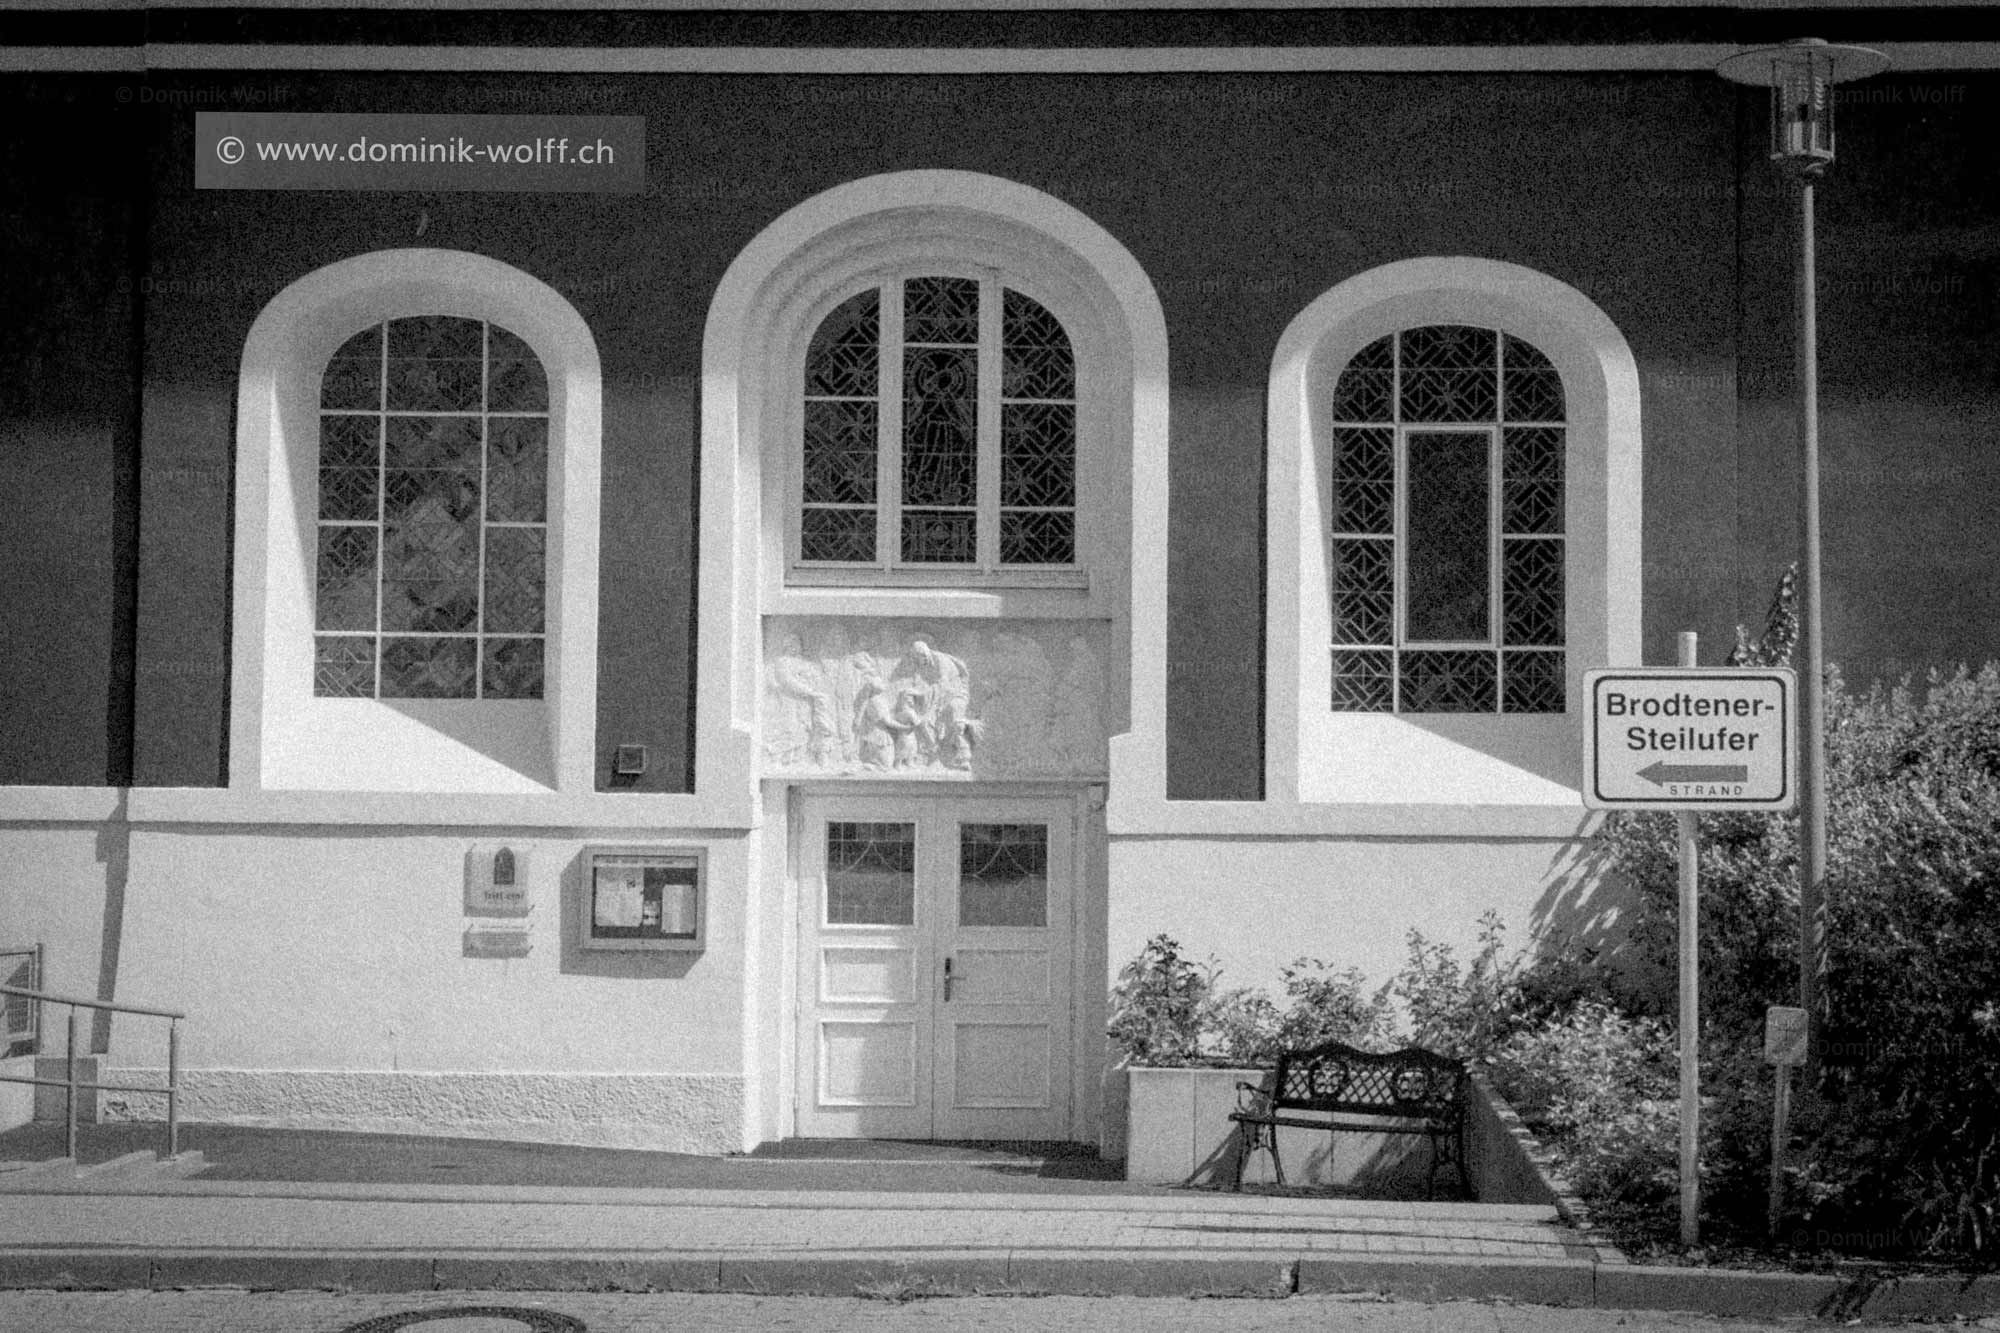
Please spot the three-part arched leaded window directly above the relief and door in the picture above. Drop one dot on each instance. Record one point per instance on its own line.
(939, 431)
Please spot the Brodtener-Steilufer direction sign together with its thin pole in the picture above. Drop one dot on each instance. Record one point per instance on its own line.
(1689, 740)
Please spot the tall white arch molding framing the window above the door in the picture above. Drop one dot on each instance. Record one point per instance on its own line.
(761, 319)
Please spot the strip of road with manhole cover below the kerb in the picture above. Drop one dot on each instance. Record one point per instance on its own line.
(563, 1312)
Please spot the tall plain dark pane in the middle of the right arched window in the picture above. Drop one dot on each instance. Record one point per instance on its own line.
(1449, 575)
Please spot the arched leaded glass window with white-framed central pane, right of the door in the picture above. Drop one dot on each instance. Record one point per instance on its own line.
(1447, 525)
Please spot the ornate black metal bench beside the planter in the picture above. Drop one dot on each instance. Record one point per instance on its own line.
(1409, 1092)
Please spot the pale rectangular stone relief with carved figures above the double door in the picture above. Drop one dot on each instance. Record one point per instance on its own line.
(899, 700)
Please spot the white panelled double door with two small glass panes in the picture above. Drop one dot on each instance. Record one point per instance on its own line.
(935, 952)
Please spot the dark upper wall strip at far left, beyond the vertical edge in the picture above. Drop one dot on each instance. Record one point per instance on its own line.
(69, 413)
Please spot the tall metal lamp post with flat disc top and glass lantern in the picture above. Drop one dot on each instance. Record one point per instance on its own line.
(1801, 79)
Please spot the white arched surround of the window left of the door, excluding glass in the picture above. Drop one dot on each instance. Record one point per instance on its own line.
(281, 736)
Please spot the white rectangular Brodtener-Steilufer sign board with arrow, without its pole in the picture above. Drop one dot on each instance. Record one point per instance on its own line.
(1691, 740)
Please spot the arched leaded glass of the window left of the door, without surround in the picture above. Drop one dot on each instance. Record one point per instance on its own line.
(433, 515)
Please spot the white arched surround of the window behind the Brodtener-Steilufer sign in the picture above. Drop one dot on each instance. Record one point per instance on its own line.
(1323, 758)
